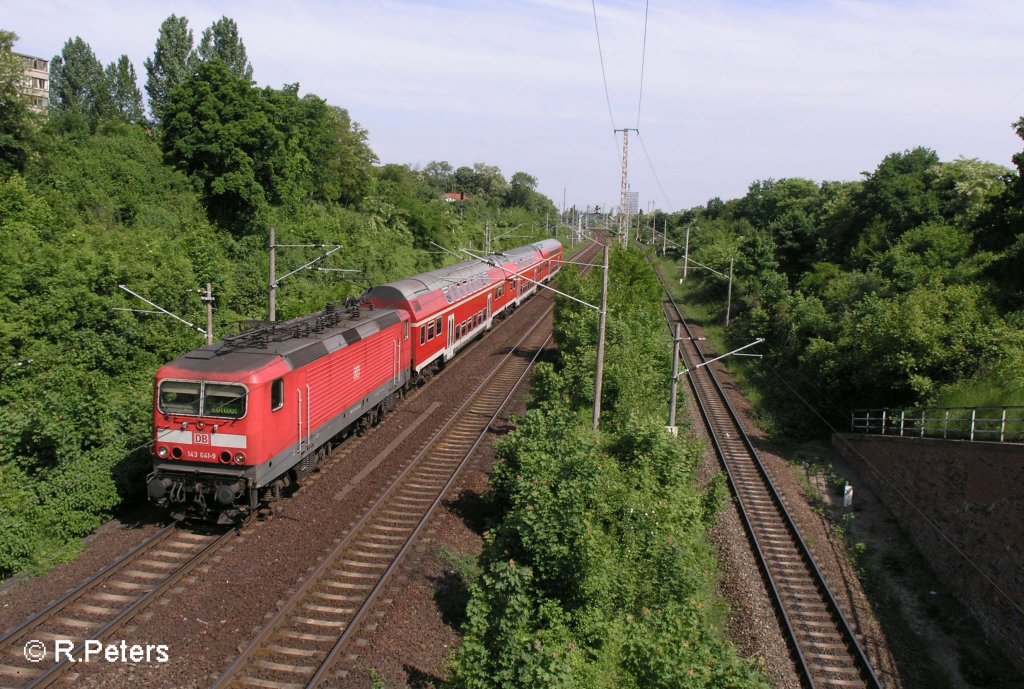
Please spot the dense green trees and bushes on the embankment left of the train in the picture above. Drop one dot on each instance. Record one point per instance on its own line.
(94, 196)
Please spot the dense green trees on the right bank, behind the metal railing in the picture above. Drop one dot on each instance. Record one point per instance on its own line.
(904, 289)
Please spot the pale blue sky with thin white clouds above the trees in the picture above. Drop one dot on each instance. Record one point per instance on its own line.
(723, 93)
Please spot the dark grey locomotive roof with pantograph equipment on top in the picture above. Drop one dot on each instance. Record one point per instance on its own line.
(300, 341)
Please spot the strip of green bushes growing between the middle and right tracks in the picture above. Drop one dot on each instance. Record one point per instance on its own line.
(600, 573)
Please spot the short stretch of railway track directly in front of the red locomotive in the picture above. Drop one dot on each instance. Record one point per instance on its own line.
(102, 606)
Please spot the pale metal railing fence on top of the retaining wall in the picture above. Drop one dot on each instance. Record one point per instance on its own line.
(993, 424)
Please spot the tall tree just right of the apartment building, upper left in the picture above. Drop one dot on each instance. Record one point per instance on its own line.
(78, 83)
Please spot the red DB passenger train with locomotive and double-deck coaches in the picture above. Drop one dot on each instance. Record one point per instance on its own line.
(239, 423)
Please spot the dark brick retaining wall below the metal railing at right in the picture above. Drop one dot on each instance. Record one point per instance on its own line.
(963, 505)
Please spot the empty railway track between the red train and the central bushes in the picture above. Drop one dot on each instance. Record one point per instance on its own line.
(301, 645)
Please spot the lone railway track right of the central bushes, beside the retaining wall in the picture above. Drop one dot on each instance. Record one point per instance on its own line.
(828, 652)
